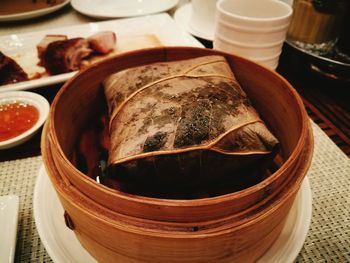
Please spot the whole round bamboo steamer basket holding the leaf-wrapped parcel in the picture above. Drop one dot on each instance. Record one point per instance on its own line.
(128, 228)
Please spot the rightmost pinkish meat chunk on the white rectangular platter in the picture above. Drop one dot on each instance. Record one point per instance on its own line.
(102, 42)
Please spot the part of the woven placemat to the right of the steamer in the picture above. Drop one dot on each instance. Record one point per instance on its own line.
(329, 234)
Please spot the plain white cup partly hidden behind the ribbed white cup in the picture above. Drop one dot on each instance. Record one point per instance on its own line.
(203, 17)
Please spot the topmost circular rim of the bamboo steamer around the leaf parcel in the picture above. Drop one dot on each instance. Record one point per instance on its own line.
(180, 202)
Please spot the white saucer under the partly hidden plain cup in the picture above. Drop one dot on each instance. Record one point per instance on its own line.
(182, 17)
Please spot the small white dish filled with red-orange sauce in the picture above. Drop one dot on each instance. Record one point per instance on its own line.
(22, 113)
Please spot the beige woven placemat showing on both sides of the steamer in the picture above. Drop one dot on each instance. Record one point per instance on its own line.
(328, 238)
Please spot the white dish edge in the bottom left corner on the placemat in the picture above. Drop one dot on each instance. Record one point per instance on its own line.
(8, 227)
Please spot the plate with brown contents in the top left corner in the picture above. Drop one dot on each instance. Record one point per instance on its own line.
(28, 9)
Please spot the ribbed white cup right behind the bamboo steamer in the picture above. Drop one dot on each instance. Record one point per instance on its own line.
(254, 29)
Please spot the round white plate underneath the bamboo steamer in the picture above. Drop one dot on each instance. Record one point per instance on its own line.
(63, 246)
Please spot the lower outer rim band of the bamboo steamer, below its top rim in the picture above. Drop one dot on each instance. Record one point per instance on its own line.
(270, 208)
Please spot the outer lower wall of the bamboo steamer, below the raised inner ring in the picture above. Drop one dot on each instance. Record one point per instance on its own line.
(112, 237)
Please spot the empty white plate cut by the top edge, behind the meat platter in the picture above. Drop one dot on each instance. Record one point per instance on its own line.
(121, 8)
